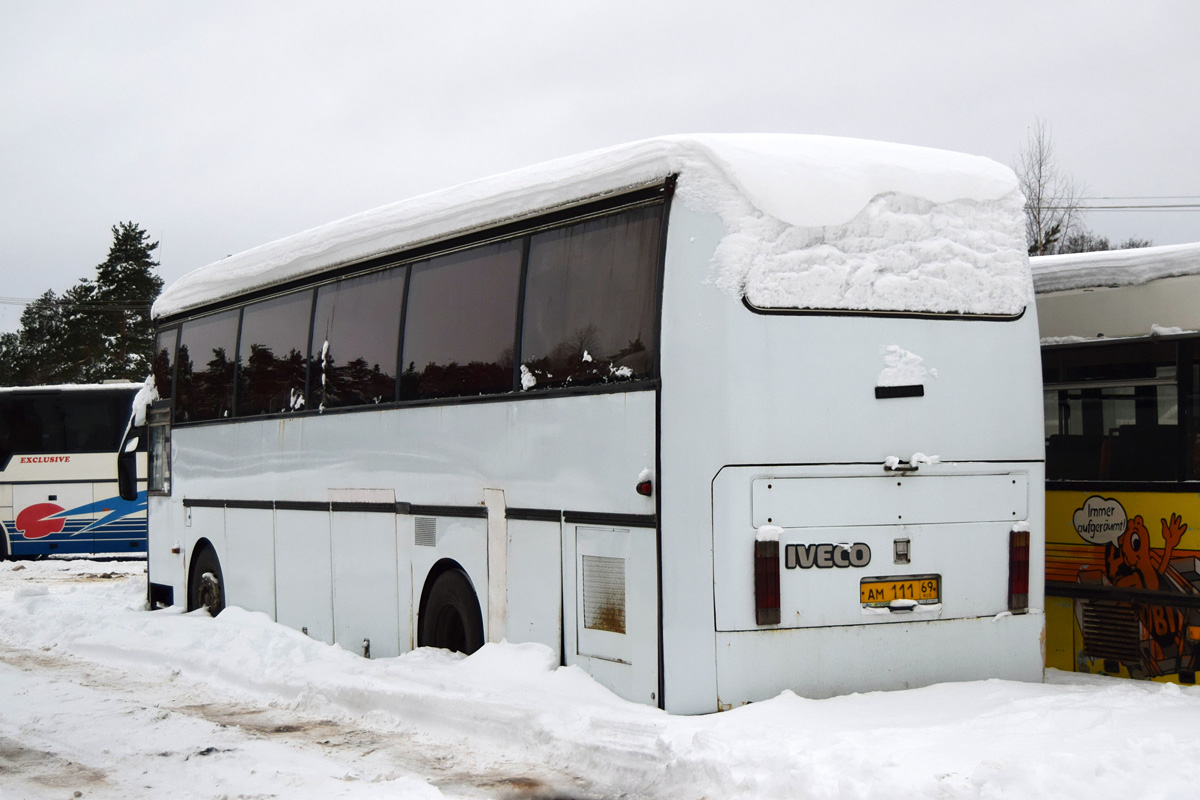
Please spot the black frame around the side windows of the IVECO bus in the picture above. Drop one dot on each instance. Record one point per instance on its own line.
(657, 195)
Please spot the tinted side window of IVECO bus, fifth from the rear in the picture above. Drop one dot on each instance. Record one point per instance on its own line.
(205, 374)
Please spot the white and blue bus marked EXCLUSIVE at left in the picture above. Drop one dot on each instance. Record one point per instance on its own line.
(58, 472)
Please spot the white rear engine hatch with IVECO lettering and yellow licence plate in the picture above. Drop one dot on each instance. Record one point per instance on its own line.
(957, 525)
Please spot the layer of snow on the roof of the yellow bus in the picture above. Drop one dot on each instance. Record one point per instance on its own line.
(1114, 268)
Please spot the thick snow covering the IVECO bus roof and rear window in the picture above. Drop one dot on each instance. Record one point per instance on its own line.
(807, 218)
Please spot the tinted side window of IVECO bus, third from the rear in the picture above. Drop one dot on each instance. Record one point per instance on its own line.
(355, 339)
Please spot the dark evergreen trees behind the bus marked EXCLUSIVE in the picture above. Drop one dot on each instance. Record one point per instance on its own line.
(98, 330)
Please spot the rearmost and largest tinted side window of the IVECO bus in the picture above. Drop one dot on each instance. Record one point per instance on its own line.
(590, 302)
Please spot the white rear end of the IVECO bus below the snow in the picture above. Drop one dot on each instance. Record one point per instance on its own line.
(781, 392)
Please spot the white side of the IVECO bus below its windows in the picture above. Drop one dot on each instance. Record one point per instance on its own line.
(331, 570)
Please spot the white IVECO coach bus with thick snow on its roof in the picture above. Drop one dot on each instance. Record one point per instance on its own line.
(711, 417)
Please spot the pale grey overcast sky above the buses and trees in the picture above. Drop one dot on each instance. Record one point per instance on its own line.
(224, 125)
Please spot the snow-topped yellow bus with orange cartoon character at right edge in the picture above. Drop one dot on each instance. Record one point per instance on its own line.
(1121, 370)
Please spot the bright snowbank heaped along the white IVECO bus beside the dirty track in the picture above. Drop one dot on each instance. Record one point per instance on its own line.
(1077, 736)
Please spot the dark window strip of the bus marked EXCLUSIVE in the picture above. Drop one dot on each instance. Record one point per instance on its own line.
(64, 423)
